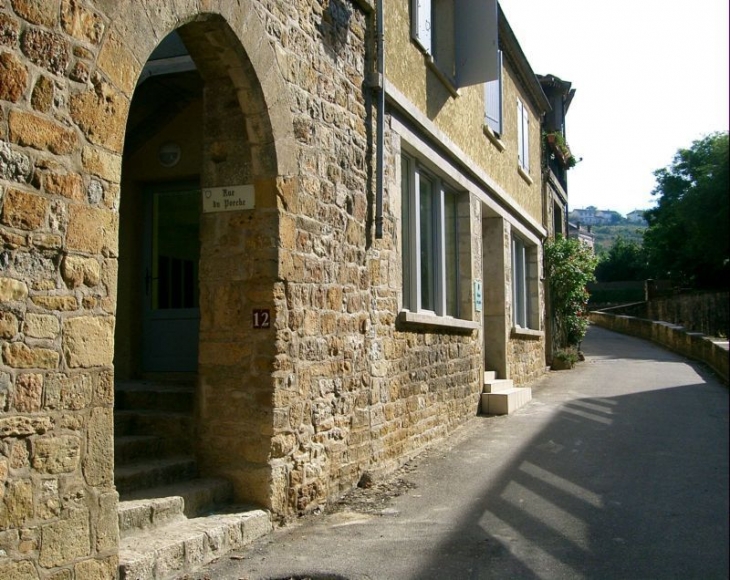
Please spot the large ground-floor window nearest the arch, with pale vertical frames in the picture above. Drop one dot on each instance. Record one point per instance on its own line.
(431, 239)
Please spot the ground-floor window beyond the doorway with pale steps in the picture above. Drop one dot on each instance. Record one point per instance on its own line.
(524, 285)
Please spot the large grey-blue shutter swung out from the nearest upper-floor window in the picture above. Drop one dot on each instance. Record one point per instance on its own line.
(475, 36)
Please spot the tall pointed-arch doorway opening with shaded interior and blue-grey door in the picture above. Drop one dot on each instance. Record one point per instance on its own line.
(189, 372)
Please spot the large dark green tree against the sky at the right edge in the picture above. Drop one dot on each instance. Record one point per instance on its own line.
(688, 233)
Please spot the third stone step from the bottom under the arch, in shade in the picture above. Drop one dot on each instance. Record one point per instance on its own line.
(154, 473)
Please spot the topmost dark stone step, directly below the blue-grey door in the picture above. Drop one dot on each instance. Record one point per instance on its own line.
(175, 398)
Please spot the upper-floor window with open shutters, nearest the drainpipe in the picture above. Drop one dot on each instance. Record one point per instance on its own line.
(459, 37)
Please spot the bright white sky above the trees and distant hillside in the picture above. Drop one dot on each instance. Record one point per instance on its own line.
(651, 77)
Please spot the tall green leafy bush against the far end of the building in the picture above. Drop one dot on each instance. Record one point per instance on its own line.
(569, 266)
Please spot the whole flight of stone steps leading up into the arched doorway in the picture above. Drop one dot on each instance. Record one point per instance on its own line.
(170, 520)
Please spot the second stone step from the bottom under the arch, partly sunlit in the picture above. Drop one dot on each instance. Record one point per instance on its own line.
(146, 508)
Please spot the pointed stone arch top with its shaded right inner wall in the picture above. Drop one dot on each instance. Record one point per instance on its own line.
(238, 251)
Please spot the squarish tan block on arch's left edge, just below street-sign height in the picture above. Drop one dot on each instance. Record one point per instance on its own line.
(92, 230)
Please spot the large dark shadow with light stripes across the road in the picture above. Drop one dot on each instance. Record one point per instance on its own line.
(631, 486)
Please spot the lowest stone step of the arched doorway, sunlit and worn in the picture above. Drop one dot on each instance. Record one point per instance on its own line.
(167, 552)
